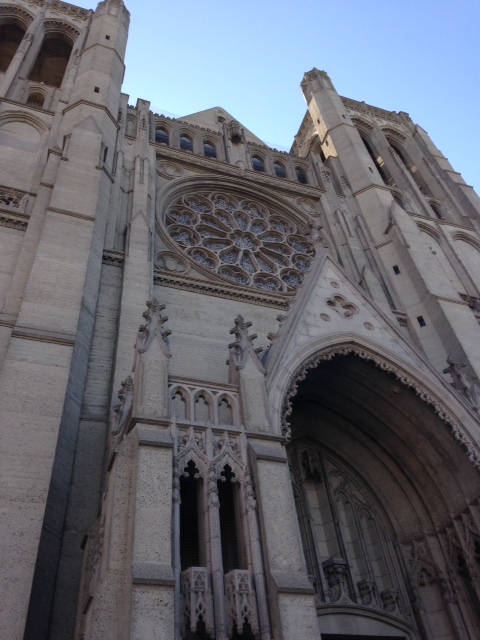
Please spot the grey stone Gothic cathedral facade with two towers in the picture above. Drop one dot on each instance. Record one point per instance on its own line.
(239, 391)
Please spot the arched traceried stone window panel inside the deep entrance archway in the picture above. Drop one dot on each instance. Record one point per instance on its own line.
(348, 541)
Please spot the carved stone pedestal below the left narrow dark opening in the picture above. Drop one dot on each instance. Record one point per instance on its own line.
(197, 600)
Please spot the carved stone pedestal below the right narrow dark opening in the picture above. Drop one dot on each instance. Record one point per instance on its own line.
(242, 608)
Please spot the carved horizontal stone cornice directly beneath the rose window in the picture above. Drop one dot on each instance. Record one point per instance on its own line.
(231, 292)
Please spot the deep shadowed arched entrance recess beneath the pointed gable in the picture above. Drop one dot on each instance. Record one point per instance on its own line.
(387, 505)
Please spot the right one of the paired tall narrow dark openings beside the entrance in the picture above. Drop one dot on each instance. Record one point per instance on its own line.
(229, 525)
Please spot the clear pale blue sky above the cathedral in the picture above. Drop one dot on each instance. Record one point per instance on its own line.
(249, 56)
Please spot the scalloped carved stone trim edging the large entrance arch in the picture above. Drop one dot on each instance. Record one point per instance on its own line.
(313, 362)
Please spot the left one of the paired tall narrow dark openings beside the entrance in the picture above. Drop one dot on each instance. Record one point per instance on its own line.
(189, 522)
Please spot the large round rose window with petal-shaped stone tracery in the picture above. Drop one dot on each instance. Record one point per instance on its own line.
(240, 240)
